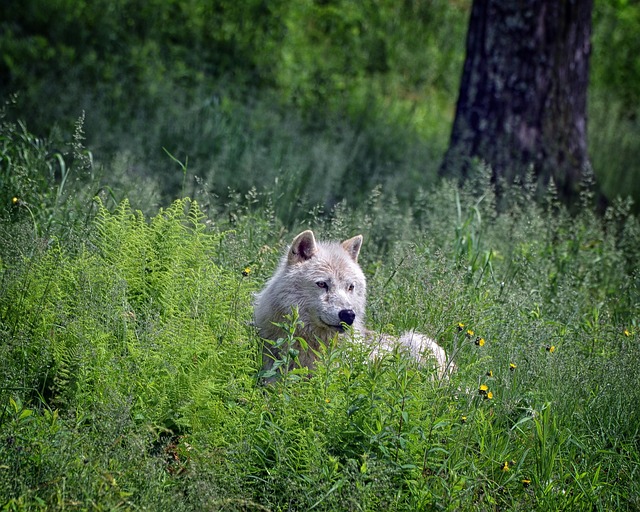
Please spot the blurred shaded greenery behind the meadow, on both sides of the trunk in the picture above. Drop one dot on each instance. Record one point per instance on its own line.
(316, 100)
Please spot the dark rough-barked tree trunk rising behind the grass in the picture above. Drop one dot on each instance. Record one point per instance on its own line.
(523, 94)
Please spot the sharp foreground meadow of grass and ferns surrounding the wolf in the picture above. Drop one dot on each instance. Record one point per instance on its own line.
(129, 364)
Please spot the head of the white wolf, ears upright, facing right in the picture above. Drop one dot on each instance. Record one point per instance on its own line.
(323, 280)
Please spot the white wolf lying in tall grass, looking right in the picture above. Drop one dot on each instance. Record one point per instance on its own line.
(324, 281)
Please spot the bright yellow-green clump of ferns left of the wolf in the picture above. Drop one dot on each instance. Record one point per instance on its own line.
(141, 296)
